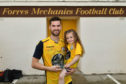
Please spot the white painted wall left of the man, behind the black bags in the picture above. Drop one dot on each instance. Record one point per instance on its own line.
(18, 38)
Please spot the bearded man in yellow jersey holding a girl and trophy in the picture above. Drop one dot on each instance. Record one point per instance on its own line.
(52, 52)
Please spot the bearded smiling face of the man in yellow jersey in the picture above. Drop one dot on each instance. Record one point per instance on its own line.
(55, 28)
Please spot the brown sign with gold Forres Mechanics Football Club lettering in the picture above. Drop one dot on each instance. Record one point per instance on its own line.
(45, 11)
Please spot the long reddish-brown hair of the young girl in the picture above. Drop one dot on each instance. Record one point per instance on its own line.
(76, 37)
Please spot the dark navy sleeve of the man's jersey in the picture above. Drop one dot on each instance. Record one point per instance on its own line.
(38, 50)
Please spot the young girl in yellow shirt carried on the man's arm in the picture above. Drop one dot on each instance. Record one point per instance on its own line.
(74, 51)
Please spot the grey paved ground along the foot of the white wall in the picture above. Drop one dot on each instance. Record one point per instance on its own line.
(78, 78)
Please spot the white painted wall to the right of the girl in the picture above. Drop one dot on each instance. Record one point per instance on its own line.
(104, 41)
